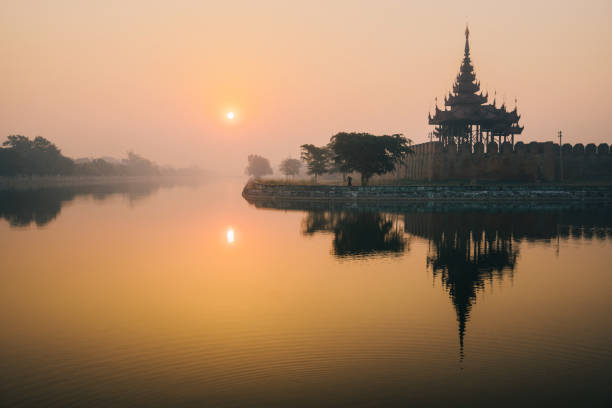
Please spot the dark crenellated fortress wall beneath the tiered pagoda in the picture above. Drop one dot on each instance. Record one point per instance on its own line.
(530, 162)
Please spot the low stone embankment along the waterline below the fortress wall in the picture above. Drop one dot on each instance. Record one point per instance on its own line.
(255, 191)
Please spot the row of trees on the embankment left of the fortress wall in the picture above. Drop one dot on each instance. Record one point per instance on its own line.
(345, 153)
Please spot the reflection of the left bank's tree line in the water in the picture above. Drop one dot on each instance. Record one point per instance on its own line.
(22, 207)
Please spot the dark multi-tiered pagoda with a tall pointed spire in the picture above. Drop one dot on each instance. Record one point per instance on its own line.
(467, 118)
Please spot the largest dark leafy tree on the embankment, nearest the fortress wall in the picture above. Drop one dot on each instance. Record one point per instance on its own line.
(369, 154)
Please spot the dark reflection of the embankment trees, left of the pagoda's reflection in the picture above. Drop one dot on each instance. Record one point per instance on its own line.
(358, 232)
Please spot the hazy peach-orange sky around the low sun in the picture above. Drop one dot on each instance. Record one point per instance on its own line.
(103, 77)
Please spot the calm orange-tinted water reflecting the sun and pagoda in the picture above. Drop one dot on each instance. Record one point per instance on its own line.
(158, 295)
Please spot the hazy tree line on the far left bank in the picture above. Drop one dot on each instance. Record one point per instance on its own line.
(22, 156)
